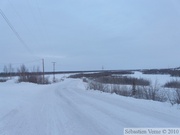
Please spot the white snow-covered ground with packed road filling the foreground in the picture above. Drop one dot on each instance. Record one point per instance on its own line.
(67, 108)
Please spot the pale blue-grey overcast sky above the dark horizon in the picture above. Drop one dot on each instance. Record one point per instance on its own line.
(89, 34)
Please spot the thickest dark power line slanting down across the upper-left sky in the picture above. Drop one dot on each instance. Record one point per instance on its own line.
(14, 31)
